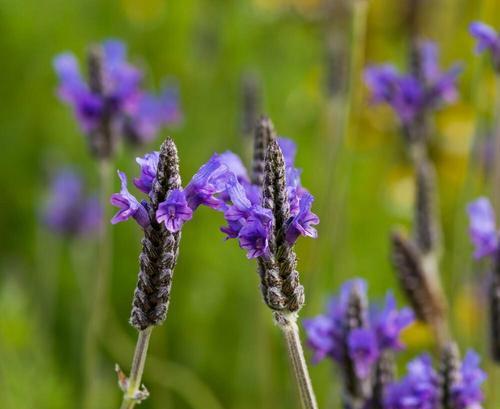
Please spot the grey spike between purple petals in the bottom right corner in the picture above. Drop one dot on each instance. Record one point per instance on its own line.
(450, 374)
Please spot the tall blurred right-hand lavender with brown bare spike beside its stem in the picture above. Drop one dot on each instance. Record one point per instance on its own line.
(414, 97)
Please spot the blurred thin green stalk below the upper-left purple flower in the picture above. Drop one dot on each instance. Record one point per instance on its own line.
(97, 302)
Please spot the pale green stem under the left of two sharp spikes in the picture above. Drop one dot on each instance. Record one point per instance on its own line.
(133, 393)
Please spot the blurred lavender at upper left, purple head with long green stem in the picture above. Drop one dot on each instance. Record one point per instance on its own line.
(109, 105)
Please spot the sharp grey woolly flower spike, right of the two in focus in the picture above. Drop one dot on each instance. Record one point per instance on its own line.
(275, 198)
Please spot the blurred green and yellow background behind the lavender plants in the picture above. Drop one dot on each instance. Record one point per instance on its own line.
(219, 347)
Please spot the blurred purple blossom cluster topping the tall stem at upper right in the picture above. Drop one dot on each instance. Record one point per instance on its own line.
(412, 95)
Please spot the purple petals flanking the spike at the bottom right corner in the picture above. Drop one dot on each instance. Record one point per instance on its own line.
(421, 387)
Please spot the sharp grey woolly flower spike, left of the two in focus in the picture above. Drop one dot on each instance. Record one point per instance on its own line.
(159, 248)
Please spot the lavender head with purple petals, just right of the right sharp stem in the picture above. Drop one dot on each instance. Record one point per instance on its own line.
(362, 340)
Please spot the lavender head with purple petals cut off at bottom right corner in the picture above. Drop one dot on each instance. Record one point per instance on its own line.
(457, 384)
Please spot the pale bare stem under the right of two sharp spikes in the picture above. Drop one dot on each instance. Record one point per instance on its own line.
(288, 325)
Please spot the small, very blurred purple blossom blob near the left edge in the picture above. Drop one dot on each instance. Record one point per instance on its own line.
(69, 211)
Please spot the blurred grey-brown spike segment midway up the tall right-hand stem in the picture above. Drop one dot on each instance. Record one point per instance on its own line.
(426, 231)
